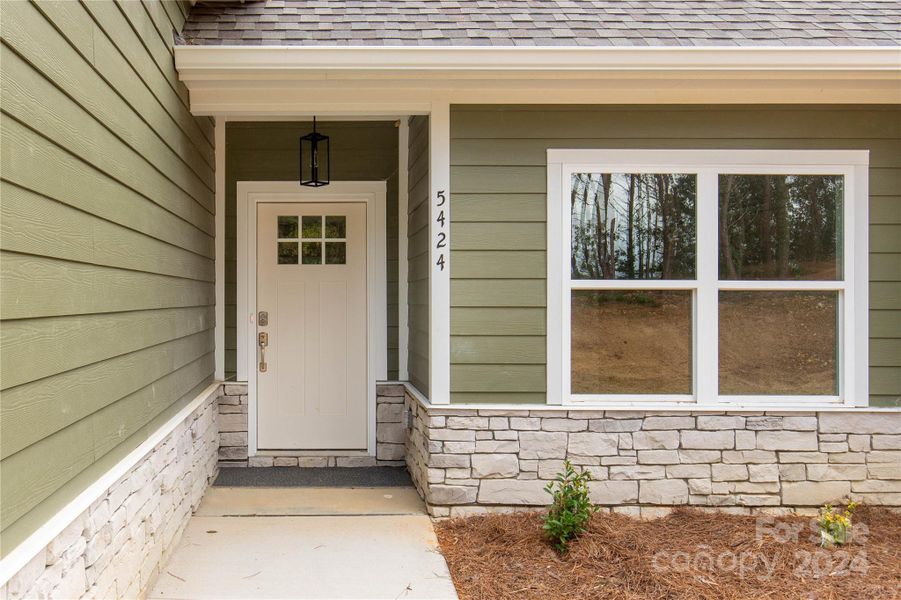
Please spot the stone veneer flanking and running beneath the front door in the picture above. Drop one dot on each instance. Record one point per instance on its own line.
(390, 433)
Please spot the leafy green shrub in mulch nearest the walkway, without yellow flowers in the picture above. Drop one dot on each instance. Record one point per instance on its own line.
(572, 508)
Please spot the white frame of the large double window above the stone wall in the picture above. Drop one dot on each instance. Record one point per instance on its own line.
(853, 343)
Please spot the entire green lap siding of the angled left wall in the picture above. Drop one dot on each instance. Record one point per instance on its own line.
(106, 246)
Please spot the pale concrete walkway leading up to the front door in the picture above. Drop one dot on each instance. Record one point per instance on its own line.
(324, 543)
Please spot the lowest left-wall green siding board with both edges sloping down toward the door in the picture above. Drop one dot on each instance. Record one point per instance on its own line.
(33, 224)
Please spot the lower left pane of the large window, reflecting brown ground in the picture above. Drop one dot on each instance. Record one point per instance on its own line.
(631, 342)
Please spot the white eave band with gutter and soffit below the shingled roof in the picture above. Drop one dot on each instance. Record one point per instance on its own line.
(234, 78)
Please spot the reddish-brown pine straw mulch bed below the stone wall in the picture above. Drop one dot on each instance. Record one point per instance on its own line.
(686, 555)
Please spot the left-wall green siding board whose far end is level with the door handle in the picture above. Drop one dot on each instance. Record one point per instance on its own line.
(34, 411)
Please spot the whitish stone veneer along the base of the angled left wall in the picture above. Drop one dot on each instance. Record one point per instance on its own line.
(116, 548)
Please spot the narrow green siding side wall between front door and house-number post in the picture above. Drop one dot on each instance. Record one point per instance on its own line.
(418, 253)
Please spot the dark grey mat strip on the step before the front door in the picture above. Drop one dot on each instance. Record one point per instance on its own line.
(331, 477)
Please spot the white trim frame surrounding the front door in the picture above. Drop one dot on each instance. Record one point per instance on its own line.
(251, 193)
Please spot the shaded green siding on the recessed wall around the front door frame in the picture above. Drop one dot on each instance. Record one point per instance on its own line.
(268, 151)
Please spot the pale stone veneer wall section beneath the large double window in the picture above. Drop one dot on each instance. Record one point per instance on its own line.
(468, 460)
